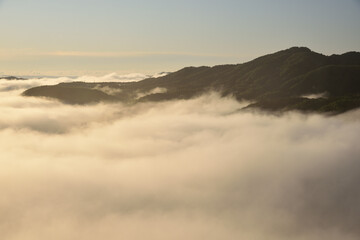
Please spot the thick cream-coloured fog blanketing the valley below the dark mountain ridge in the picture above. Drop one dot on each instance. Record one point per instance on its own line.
(196, 169)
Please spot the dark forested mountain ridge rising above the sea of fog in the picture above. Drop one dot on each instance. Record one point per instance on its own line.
(275, 82)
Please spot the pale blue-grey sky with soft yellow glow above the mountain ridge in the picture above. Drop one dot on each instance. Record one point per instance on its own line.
(98, 37)
